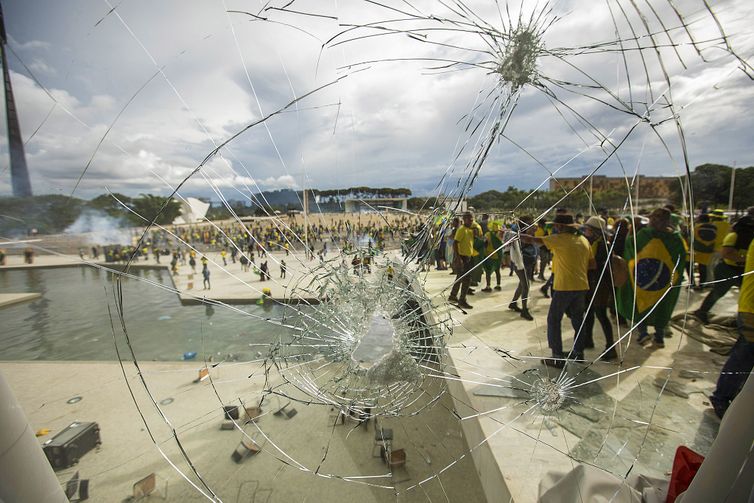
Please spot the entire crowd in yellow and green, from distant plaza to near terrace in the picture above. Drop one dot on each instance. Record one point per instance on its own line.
(625, 273)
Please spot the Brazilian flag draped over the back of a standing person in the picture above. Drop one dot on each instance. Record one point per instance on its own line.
(654, 264)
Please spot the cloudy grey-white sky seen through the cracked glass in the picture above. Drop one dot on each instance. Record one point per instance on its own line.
(141, 92)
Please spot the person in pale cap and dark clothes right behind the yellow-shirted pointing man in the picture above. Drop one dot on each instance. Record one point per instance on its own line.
(600, 294)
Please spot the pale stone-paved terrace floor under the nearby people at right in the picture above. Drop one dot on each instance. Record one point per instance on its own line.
(634, 413)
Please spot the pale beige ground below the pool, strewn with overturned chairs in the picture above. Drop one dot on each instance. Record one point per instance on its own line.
(291, 449)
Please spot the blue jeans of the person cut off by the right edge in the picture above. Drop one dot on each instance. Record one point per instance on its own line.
(737, 368)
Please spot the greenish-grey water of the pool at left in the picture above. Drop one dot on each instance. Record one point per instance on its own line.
(71, 321)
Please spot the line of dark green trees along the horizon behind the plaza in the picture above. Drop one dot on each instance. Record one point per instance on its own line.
(710, 184)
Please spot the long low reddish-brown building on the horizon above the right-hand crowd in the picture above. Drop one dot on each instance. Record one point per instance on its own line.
(647, 187)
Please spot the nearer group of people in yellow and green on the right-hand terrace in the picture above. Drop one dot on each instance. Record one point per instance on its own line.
(630, 268)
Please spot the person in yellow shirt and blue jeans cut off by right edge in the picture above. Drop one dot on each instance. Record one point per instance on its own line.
(741, 358)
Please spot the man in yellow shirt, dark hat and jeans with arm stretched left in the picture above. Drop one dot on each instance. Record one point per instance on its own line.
(571, 261)
